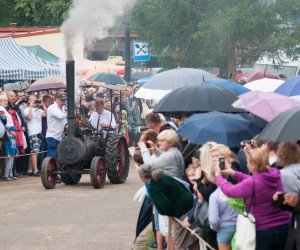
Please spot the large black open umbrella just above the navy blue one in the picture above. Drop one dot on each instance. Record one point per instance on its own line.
(197, 99)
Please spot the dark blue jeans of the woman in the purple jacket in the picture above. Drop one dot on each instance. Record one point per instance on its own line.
(272, 239)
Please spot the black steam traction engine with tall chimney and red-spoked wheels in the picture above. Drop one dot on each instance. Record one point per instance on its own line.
(86, 151)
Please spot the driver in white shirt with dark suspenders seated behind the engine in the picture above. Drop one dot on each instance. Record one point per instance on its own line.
(102, 118)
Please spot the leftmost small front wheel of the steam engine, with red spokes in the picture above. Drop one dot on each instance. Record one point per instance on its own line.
(49, 166)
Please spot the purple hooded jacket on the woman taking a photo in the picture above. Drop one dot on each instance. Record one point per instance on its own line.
(259, 188)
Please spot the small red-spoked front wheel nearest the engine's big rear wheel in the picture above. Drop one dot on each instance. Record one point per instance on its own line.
(98, 172)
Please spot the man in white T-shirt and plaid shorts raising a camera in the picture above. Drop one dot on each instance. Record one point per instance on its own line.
(33, 115)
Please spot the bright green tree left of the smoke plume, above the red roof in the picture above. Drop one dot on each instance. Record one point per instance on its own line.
(44, 12)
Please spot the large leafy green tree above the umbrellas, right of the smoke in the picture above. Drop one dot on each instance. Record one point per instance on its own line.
(199, 33)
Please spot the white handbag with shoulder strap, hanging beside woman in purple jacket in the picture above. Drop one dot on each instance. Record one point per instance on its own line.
(245, 236)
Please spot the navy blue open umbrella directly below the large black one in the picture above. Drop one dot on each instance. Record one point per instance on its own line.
(228, 129)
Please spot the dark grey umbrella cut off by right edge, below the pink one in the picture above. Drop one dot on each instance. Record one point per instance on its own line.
(284, 127)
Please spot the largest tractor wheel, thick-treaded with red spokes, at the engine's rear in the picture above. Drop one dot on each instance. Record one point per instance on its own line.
(117, 159)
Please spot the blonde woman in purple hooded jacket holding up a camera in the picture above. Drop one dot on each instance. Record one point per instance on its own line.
(257, 191)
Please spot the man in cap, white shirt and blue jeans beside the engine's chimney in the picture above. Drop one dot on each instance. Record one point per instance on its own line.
(56, 121)
